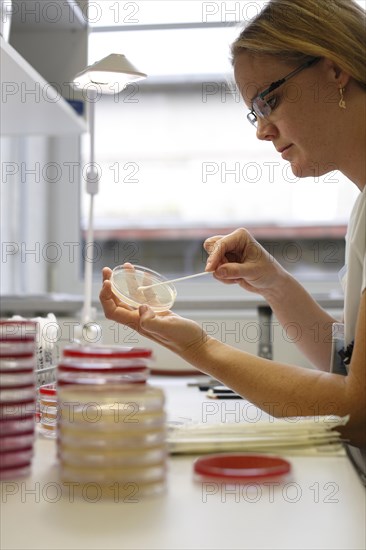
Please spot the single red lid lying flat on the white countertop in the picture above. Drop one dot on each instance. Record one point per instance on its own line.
(241, 466)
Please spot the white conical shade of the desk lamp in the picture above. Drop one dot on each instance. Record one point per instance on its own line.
(111, 71)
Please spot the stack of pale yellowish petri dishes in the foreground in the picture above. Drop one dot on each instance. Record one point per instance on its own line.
(112, 438)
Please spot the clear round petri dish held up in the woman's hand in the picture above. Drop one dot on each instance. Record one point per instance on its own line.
(126, 280)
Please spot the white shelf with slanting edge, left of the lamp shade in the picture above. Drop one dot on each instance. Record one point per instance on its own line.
(29, 104)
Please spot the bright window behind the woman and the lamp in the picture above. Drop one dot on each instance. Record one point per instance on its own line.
(178, 160)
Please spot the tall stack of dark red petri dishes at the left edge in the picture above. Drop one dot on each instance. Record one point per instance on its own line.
(17, 397)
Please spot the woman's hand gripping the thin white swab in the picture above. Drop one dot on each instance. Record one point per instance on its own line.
(239, 258)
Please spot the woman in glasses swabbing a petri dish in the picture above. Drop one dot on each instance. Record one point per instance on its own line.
(320, 52)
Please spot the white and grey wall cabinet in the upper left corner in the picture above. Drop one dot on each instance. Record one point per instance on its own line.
(47, 47)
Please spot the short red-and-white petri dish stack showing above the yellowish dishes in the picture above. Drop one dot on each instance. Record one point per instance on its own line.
(103, 365)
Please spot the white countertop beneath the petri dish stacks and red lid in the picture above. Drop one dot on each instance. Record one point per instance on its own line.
(322, 505)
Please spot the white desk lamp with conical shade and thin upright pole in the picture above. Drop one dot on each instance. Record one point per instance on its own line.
(110, 76)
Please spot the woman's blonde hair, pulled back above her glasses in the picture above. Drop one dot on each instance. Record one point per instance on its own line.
(294, 30)
